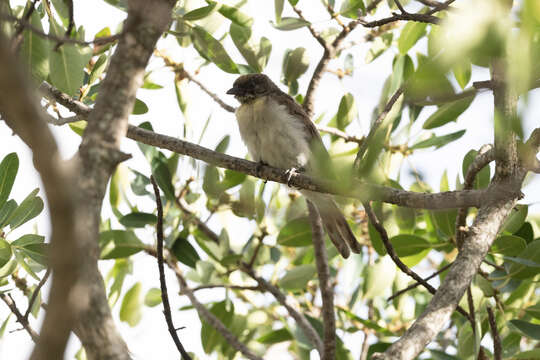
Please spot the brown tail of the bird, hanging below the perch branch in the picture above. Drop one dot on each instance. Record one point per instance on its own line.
(334, 223)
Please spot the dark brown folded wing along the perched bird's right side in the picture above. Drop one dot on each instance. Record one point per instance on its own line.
(320, 163)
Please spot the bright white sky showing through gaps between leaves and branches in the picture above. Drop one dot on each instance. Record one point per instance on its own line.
(150, 338)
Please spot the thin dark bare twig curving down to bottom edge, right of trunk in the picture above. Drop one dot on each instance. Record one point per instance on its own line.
(163, 284)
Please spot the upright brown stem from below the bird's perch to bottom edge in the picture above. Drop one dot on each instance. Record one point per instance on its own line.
(327, 293)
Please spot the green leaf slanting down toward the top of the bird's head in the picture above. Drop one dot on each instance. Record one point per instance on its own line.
(212, 50)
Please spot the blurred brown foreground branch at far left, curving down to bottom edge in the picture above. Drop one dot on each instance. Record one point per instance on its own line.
(20, 109)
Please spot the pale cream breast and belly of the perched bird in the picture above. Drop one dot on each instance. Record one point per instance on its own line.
(272, 134)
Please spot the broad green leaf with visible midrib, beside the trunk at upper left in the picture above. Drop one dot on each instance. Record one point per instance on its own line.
(67, 63)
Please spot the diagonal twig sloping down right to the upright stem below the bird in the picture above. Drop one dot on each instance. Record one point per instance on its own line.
(300, 319)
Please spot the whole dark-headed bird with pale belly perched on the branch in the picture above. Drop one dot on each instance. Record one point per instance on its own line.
(278, 132)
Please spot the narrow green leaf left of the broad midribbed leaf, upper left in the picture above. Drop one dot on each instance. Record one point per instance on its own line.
(35, 50)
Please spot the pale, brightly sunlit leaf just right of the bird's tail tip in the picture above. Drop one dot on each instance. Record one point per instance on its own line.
(379, 277)
